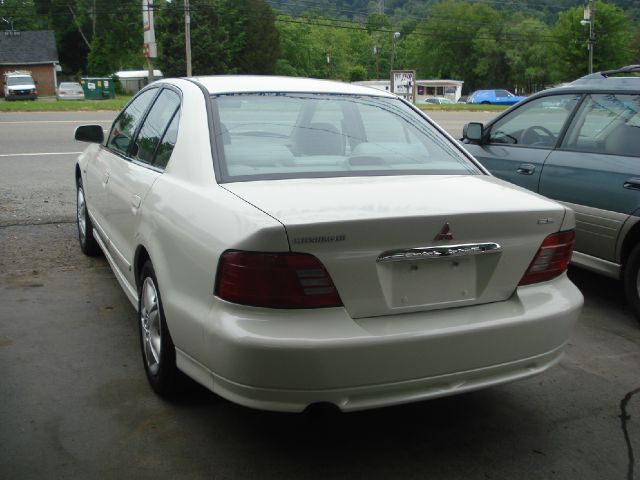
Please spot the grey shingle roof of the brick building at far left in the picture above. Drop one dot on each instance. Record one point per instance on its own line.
(29, 47)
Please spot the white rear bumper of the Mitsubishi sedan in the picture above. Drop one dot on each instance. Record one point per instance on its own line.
(287, 360)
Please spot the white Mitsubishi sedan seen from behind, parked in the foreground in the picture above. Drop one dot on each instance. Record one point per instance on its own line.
(288, 242)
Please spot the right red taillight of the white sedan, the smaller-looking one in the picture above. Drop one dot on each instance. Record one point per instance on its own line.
(552, 258)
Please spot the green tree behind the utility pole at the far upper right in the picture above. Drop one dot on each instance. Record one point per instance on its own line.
(613, 48)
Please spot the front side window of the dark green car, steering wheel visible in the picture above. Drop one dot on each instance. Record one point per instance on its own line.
(537, 123)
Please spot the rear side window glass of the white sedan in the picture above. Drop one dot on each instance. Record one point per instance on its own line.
(155, 125)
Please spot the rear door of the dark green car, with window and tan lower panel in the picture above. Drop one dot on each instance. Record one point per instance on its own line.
(596, 170)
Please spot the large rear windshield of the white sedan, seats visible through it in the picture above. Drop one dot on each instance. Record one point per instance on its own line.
(292, 135)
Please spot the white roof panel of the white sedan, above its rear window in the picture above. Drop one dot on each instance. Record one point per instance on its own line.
(221, 84)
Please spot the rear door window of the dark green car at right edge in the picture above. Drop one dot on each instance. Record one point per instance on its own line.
(606, 123)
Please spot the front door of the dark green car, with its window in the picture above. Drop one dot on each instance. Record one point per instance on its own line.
(517, 144)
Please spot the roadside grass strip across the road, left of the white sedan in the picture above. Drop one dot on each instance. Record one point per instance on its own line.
(50, 104)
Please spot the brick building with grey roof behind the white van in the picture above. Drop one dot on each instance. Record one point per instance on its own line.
(34, 52)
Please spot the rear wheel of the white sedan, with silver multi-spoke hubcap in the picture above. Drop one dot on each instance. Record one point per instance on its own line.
(158, 351)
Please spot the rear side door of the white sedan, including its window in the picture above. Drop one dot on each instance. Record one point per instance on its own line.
(132, 178)
